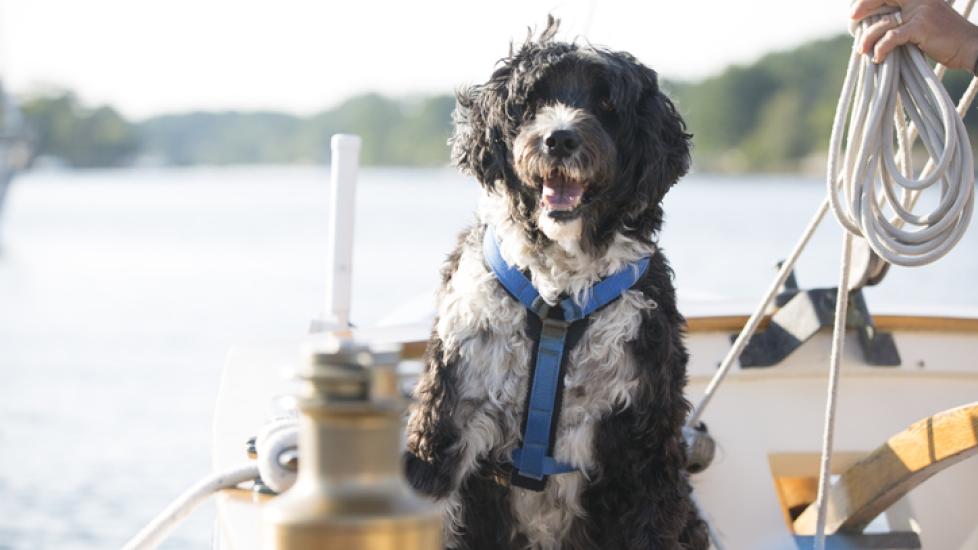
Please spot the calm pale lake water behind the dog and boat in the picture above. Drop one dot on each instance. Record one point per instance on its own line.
(121, 291)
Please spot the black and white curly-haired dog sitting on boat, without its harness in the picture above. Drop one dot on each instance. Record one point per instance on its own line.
(575, 147)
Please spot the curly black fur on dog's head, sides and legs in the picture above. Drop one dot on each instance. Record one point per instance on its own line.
(636, 494)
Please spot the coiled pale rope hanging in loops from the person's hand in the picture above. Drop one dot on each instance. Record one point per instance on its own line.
(871, 195)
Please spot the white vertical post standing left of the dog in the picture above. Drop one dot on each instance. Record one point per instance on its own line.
(339, 280)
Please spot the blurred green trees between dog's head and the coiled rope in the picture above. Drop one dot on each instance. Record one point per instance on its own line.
(776, 114)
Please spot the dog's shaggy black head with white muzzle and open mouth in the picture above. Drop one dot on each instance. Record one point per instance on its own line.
(581, 141)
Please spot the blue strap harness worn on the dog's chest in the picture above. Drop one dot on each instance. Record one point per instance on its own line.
(555, 330)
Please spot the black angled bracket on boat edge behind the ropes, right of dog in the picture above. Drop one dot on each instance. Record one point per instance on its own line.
(801, 314)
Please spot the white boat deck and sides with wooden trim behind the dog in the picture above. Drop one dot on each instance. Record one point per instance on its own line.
(767, 423)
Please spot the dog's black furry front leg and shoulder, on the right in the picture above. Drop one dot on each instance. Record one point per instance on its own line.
(640, 498)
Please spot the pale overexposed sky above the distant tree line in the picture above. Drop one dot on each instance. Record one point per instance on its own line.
(150, 57)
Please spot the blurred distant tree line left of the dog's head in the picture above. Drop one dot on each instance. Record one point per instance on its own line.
(411, 131)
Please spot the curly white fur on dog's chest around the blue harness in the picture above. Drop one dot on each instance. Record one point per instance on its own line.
(486, 328)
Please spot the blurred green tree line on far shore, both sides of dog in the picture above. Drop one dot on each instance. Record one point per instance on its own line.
(772, 115)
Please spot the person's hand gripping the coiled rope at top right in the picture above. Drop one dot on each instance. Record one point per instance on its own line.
(940, 31)
